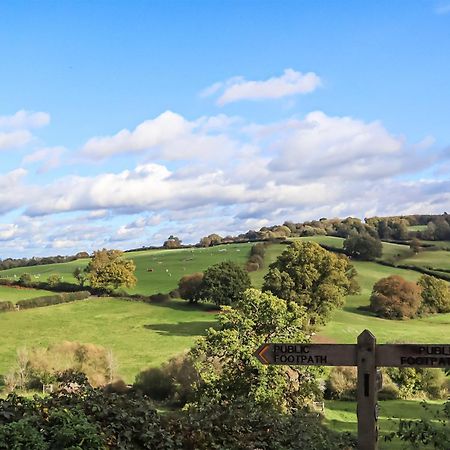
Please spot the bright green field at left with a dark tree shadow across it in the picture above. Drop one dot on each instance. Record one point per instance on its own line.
(140, 335)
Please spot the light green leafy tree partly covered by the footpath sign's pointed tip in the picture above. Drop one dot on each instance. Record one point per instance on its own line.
(226, 364)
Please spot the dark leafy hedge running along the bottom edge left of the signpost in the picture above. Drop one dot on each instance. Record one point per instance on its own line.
(92, 419)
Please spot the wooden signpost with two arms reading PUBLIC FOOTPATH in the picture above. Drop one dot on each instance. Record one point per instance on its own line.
(367, 356)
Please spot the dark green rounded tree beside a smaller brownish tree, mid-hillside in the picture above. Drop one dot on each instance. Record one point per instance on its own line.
(223, 283)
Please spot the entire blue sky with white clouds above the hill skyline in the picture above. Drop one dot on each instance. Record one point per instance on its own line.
(124, 122)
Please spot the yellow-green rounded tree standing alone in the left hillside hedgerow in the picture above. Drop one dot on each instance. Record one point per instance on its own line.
(107, 270)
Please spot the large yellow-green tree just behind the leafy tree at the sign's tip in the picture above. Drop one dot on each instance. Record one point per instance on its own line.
(311, 276)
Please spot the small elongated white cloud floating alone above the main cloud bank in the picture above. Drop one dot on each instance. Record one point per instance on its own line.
(289, 83)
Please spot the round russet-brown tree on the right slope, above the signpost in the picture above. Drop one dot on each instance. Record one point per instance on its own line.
(395, 298)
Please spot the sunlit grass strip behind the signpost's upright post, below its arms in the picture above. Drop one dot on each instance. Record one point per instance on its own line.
(341, 416)
